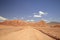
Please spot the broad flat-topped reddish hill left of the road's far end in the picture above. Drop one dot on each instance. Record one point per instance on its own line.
(14, 22)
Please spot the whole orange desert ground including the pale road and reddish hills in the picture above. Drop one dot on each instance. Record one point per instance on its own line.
(22, 30)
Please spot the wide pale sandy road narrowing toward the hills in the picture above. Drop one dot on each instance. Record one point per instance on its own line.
(28, 33)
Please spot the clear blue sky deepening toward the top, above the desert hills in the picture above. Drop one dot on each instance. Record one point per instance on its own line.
(26, 9)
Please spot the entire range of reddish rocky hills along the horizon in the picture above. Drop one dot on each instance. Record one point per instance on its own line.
(24, 23)
